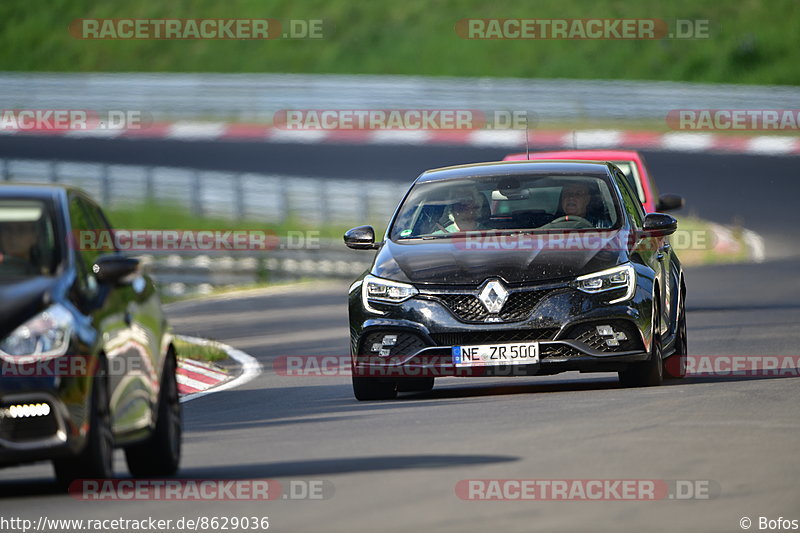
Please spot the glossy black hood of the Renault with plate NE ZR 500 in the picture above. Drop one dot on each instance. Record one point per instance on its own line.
(533, 259)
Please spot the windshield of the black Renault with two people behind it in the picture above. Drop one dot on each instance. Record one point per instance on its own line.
(439, 209)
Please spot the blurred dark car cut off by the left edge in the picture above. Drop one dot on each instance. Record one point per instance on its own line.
(87, 360)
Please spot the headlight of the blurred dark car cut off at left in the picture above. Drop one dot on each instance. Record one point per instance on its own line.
(46, 334)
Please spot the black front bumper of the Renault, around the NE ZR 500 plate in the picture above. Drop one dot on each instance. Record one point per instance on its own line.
(563, 321)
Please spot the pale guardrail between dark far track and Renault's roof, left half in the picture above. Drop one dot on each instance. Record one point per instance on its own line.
(267, 198)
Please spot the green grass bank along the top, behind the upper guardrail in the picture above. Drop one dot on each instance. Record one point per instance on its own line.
(750, 41)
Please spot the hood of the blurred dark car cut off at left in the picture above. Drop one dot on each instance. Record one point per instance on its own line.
(22, 299)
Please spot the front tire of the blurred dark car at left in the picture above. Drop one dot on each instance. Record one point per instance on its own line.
(96, 460)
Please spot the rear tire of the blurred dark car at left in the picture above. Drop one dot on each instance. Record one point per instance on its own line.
(160, 454)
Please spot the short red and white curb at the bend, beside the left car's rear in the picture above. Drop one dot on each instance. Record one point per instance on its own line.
(197, 379)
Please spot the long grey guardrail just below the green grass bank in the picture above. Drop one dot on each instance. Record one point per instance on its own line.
(255, 97)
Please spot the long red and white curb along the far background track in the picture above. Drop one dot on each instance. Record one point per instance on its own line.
(678, 141)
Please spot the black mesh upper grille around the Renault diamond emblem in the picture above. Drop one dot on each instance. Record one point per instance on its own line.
(519, 306)
